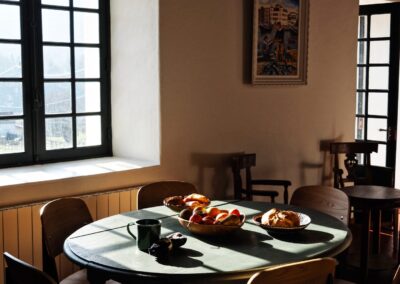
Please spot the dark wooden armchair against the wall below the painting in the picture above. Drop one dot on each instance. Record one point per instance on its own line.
(245, 162)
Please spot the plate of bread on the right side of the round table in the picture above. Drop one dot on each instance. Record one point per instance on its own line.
(276, 220)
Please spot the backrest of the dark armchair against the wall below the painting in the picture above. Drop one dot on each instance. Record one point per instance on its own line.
(242, 162)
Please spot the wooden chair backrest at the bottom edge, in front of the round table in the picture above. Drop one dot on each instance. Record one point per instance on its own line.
(317, 271)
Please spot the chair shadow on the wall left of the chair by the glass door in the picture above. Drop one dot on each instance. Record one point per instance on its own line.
(322, 172)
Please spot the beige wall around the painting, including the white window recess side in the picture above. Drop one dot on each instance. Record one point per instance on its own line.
(207, 110)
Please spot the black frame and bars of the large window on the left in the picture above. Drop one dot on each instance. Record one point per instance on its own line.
(33, 86)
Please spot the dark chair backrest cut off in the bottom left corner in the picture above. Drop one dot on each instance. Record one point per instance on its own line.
(20, 272)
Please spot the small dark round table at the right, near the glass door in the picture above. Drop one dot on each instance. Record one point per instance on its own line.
(371, 198)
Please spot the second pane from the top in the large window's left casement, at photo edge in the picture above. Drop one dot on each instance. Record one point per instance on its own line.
(10, 60)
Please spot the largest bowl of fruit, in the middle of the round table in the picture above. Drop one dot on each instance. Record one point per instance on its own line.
(211, 221)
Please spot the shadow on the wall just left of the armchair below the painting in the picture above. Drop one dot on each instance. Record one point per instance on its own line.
(216, 169)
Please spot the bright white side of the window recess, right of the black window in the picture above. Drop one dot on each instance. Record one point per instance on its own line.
(135, 79)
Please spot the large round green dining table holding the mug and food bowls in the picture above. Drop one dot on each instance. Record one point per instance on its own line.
(107, 251)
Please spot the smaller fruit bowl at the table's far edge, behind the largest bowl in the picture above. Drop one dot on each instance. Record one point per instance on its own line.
(178, 203)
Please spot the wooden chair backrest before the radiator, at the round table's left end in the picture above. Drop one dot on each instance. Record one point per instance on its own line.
(60, 218)
